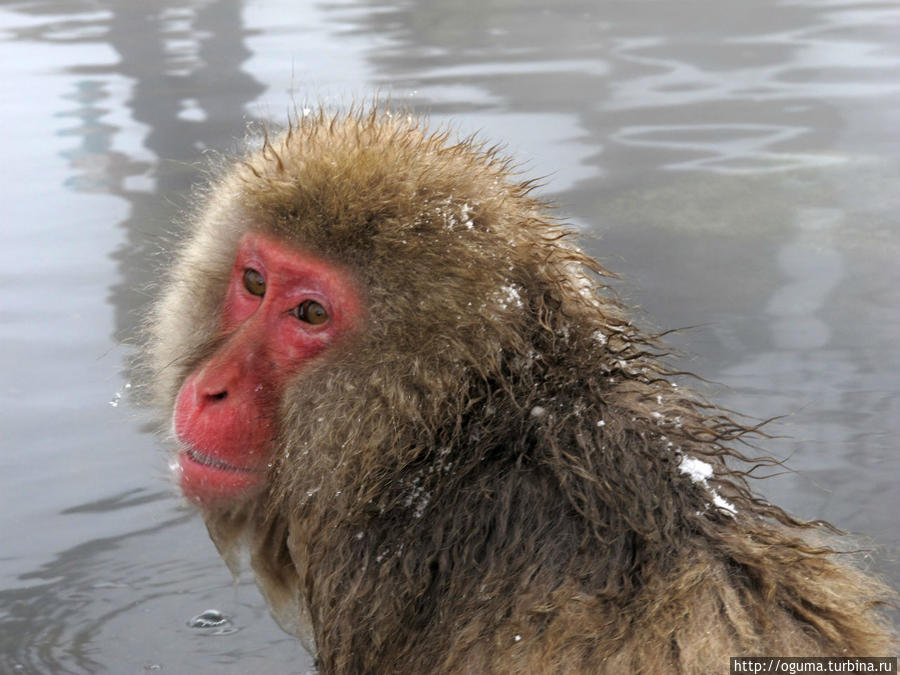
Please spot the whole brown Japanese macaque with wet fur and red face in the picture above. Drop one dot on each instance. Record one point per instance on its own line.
(396, 381)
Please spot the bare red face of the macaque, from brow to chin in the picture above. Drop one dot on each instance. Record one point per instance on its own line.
(283, 308)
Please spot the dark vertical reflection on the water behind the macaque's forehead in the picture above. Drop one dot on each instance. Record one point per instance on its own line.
(190, 90)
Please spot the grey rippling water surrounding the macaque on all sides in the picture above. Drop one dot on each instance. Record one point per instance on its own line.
(737, 164)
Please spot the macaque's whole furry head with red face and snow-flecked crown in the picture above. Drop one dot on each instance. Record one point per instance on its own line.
(342, 283)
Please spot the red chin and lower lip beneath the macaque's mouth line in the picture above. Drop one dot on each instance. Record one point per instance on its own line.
(213, 484)
